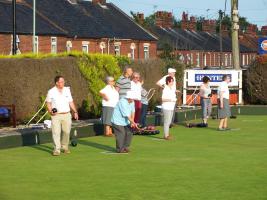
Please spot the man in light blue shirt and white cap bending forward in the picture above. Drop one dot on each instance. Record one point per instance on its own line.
(122, 121)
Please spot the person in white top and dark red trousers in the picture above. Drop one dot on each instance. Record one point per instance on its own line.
(136, 88)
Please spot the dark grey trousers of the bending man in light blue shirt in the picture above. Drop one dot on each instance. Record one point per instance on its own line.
(123, 136)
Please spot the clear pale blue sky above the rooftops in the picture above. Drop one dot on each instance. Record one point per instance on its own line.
(254, 10)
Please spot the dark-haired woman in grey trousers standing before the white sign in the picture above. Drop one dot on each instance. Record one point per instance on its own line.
(205, 99)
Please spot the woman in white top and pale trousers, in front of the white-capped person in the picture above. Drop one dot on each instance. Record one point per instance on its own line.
(168, 105)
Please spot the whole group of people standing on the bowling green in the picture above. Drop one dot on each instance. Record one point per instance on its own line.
(124, 106)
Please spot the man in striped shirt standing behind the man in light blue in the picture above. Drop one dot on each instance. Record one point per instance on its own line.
(123, 84)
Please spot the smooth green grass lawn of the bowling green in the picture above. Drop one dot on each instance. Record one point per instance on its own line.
(199, 164)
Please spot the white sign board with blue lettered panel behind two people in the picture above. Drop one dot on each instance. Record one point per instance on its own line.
(195, 77)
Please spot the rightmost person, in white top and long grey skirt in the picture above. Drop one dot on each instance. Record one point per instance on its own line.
(223, 103)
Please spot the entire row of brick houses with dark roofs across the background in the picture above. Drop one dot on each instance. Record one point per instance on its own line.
(100, 27)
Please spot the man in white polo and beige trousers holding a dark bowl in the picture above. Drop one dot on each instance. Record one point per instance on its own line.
(59, 102)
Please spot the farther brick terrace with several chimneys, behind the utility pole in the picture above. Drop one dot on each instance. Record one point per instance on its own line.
(198, 48)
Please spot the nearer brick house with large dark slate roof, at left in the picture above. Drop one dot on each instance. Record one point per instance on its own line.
(66, 25)
